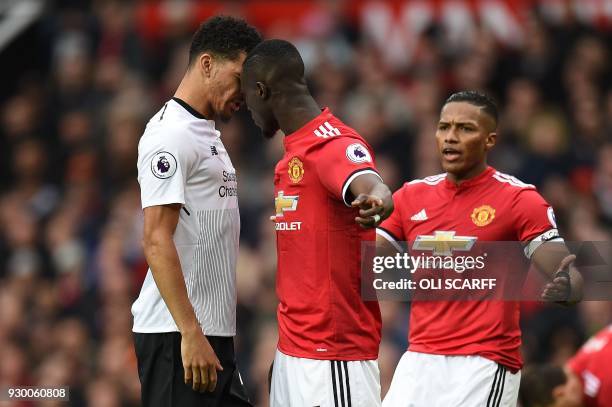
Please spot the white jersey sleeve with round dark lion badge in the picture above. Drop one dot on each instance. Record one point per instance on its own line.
(164, 163)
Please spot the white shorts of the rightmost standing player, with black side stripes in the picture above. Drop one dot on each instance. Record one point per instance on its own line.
(424, 380)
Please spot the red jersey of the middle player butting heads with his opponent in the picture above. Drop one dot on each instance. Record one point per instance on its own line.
(321, 314)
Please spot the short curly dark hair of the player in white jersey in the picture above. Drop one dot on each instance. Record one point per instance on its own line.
(223, 36)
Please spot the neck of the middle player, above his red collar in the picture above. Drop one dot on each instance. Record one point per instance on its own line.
(296, 111)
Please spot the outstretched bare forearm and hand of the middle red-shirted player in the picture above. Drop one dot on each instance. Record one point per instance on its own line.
(373, 198)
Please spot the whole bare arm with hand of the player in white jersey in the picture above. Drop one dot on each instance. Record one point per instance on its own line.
(199, 360)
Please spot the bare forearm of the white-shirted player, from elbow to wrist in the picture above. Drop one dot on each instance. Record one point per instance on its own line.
(163, 259)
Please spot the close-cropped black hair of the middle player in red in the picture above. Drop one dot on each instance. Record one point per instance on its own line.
(279, 58)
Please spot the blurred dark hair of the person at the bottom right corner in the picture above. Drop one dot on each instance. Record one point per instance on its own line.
(538, 383)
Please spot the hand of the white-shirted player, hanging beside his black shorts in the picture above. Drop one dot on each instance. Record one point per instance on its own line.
(199, 362)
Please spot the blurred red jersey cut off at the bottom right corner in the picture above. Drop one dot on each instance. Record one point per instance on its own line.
(592, 366)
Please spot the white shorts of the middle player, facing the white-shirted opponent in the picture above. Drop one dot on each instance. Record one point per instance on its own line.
(300, 382)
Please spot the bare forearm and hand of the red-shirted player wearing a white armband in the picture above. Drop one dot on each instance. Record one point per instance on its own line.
(555, 260)
